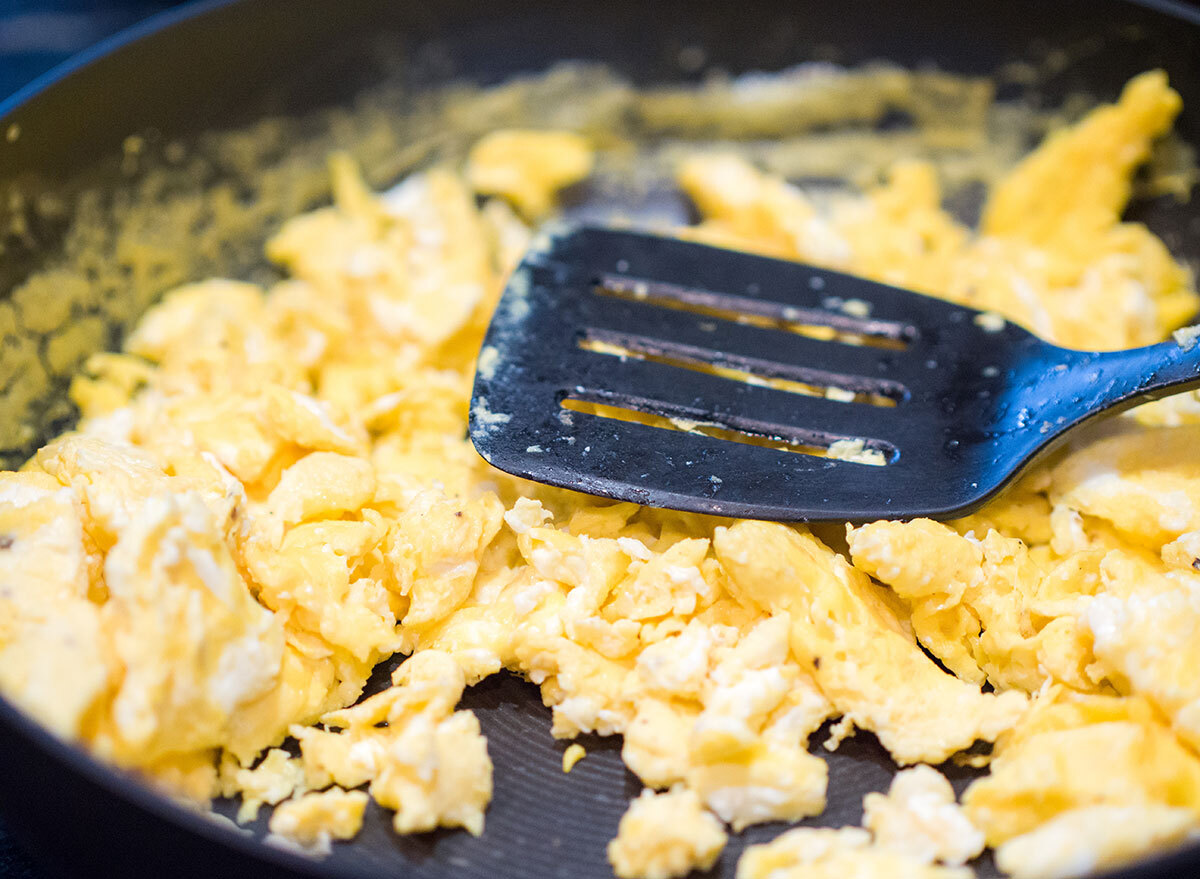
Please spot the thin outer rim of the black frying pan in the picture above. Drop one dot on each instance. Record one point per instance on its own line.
(158, 805)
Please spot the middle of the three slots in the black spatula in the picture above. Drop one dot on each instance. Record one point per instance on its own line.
(795, 380)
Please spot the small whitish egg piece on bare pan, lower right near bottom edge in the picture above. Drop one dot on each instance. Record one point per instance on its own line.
(920, 817)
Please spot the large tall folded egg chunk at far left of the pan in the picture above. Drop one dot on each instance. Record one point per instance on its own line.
(194, 655)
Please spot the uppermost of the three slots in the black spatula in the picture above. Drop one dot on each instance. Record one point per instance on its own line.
(847, 322)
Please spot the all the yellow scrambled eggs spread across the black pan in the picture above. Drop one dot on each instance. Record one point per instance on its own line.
(271, 492)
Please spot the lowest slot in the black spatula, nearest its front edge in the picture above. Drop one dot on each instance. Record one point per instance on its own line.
(668, 417)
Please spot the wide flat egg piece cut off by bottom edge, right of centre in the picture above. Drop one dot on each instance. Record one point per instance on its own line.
(825, 853)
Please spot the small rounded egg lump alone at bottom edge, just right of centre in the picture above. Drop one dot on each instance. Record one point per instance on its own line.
(665, 835)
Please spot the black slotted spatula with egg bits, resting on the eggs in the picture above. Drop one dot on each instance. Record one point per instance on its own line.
(680, 375)
